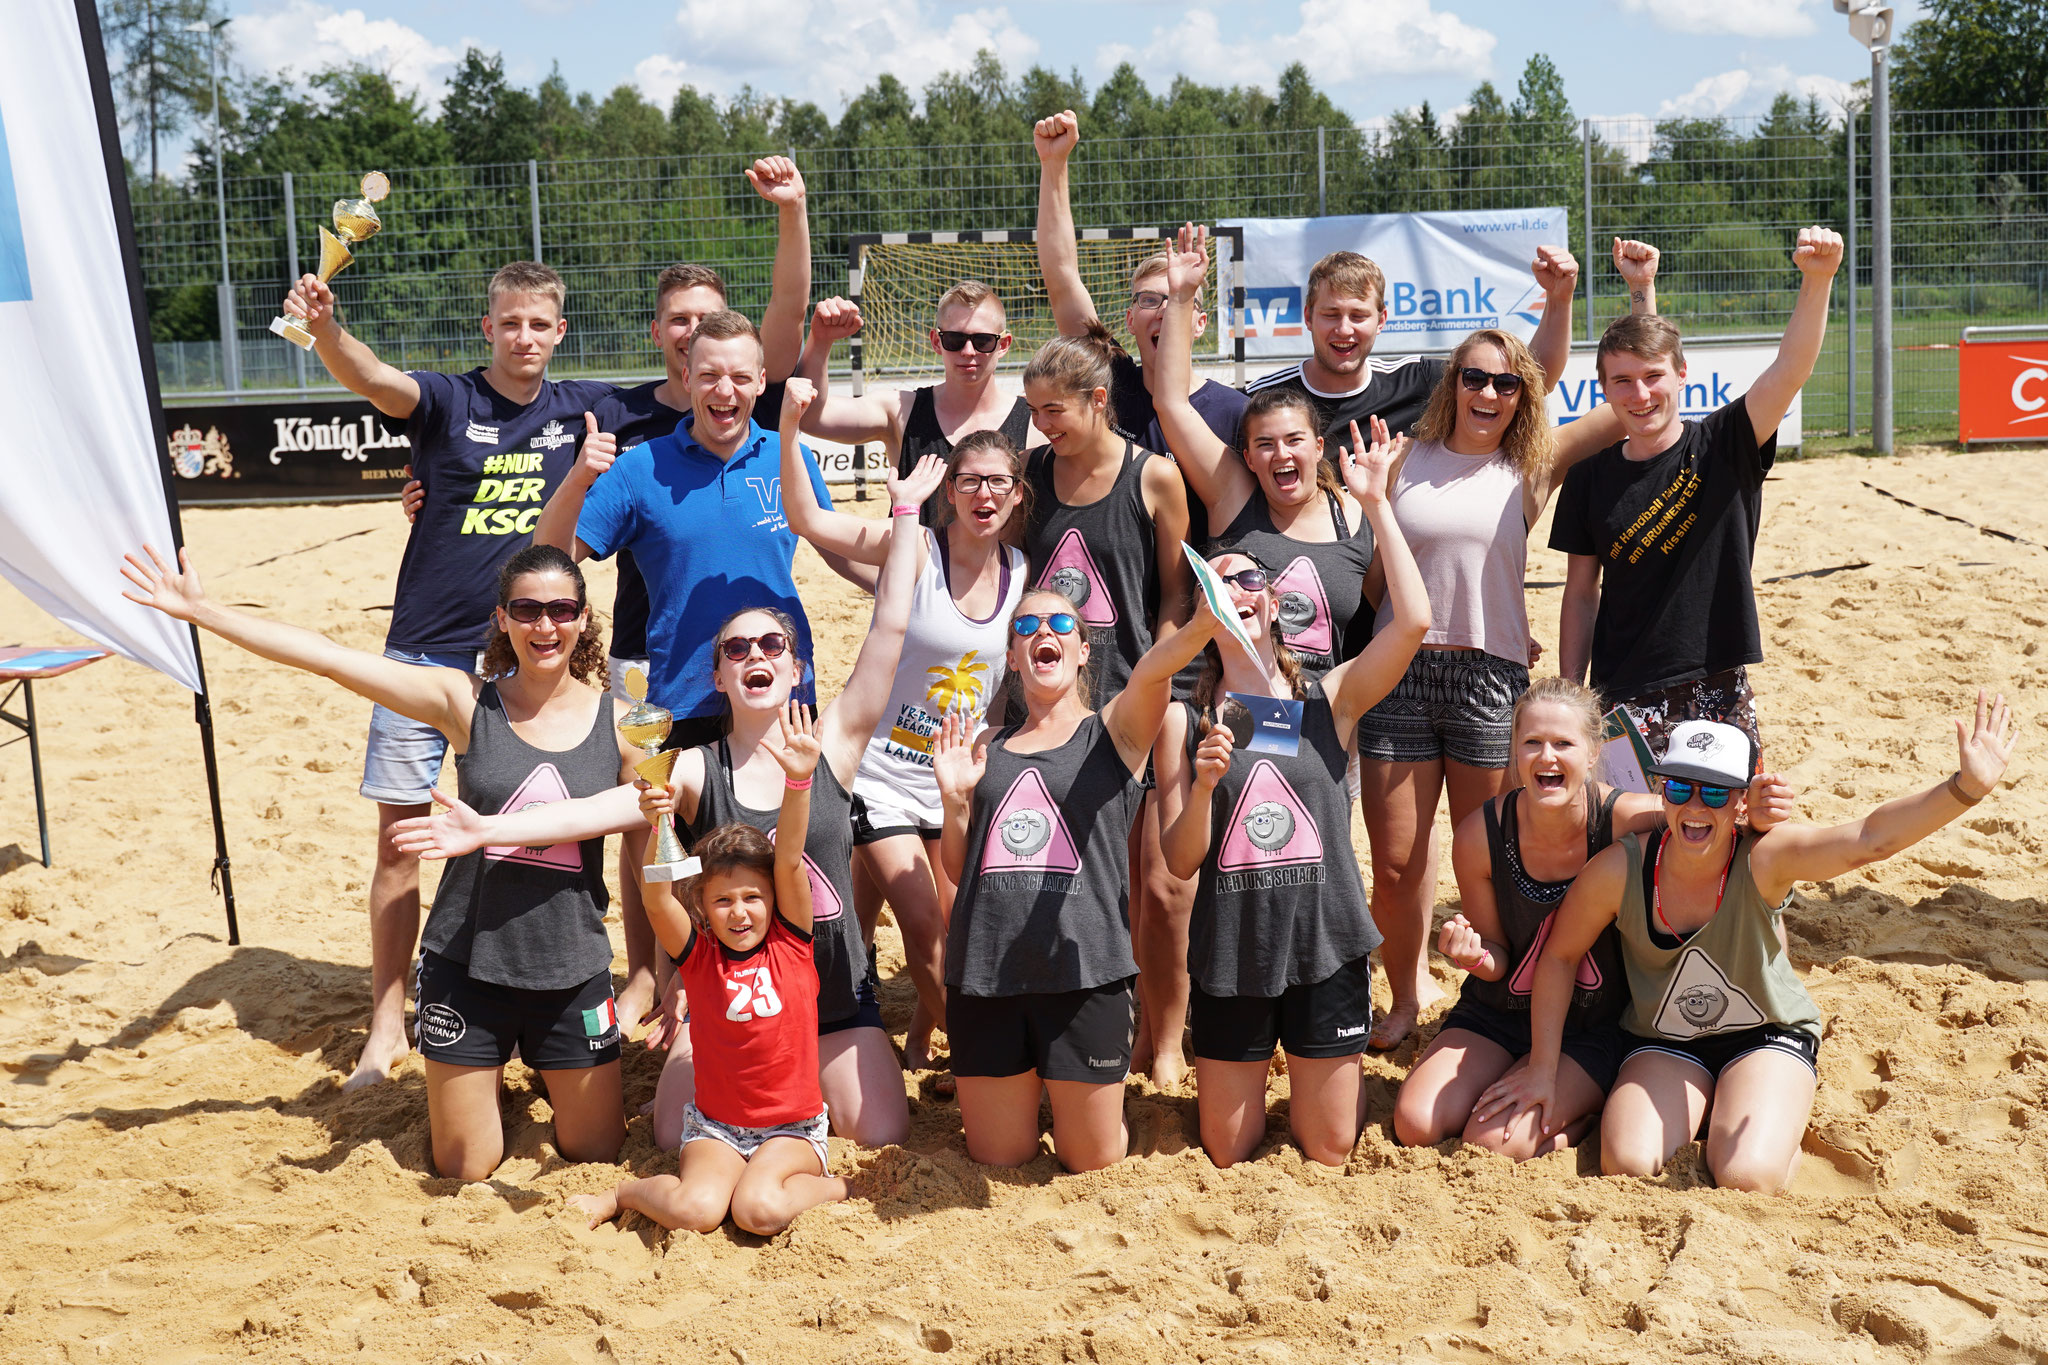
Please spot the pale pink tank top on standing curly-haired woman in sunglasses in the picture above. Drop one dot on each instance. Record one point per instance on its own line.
(1461, 517)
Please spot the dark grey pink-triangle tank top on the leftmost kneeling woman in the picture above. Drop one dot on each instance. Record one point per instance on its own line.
(527, 918)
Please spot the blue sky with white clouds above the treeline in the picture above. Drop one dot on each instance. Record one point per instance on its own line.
(1650, 58)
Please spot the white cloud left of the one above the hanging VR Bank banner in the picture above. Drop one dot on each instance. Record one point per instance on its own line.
(830, 50)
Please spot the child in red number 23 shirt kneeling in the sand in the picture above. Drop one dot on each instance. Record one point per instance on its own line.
(755, 1139)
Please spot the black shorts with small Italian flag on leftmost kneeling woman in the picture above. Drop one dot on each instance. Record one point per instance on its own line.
(468, 1022)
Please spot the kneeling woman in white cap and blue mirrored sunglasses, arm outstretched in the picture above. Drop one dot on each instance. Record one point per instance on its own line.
(1719, 1026)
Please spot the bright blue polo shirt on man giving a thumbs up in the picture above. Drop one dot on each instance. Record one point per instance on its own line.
(710, 539)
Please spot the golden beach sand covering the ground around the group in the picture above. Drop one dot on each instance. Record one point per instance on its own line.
(181, 1178)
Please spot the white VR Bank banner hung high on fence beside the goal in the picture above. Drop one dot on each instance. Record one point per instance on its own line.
(1447, 275)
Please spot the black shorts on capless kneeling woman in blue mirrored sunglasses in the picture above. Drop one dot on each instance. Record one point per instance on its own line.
(1066, 1037)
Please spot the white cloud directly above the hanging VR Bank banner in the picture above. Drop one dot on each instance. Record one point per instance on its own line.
(1340, 42)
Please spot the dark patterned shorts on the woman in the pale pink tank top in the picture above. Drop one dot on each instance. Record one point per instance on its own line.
(1451, 705)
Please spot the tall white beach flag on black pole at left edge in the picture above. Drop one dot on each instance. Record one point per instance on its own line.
(81, 468)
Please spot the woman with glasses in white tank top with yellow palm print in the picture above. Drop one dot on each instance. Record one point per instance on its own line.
(970, 580)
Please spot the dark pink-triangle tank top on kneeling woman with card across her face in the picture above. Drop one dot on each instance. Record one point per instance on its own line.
(1279, 899)
